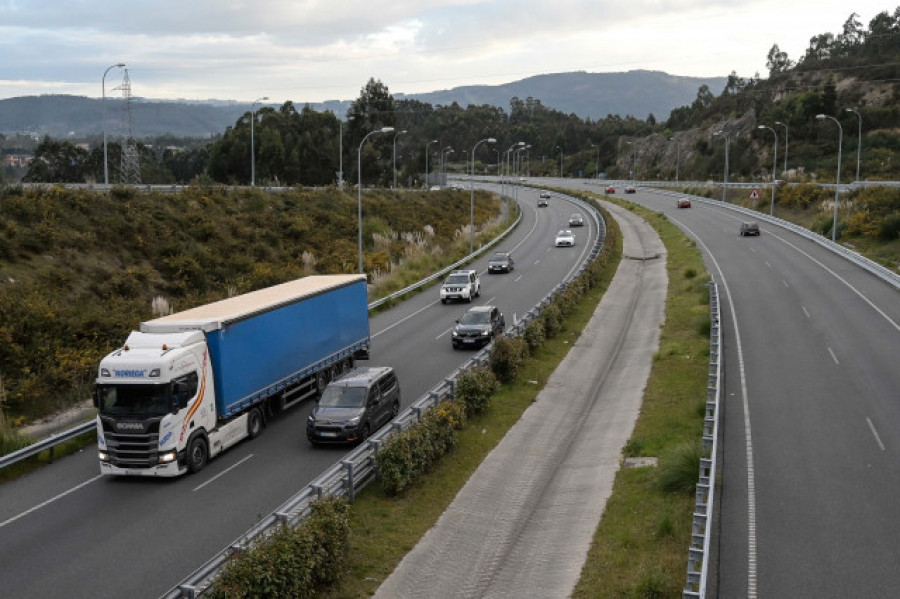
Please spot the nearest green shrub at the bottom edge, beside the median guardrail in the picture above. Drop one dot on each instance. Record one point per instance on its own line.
(293, 562)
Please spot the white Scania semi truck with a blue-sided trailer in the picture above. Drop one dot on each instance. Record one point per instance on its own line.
(187, 386)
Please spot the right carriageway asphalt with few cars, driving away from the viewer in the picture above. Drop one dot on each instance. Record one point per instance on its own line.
(811, 429)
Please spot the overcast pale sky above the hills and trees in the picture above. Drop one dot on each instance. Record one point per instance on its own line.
(317, 50)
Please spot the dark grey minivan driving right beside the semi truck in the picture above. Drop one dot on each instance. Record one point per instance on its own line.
(354, 405)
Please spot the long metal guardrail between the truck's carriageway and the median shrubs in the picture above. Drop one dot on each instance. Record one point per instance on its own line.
(357, 468)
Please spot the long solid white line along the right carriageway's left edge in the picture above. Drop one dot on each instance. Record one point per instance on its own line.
(751, 476)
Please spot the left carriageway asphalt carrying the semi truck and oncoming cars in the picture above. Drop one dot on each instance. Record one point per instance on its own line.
(65, 531)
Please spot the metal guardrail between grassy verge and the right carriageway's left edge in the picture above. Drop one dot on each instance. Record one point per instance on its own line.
(698, 552)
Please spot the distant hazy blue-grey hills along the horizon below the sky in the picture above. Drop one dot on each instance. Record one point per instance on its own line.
(587, 95)
